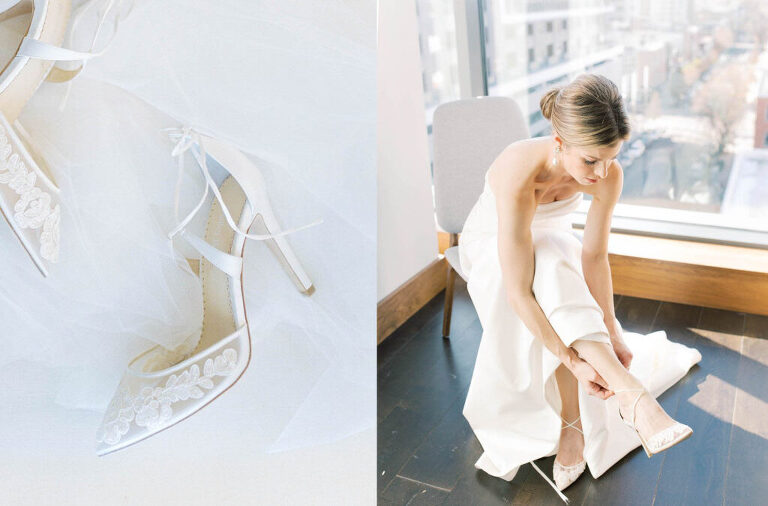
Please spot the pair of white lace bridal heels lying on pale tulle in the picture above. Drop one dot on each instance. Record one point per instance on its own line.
(160, 387)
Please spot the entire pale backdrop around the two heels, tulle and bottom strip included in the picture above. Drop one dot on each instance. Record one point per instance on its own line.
(293, 85)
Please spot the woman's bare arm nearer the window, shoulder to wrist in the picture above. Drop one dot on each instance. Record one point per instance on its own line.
(594, 255)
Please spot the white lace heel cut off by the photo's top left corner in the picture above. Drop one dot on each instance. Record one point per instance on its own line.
(29, 199)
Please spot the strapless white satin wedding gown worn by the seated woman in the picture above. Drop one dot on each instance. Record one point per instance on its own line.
(513, 404)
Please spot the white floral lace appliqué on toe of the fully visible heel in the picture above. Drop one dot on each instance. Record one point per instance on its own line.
(151, 407)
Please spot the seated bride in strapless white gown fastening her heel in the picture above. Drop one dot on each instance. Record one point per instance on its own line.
(545, 302)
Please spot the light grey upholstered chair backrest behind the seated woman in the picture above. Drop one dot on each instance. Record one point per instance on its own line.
(467, 136)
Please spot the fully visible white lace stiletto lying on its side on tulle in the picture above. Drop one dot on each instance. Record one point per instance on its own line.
(162, 387)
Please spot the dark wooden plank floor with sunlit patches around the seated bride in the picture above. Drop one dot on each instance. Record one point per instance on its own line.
(427, 451)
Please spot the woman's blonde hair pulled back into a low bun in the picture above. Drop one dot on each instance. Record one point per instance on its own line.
(587, 112)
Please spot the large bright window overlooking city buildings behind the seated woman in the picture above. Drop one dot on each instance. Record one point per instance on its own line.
(694, 78)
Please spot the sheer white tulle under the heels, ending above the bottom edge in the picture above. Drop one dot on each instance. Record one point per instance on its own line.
(290, 84)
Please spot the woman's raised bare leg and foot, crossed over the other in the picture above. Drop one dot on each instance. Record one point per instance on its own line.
(651, 417)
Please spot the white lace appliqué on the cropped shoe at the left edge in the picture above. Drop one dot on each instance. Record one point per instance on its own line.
(33, 209)
